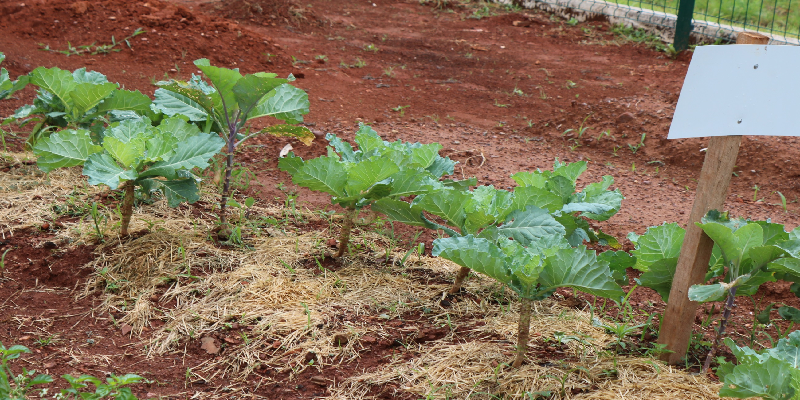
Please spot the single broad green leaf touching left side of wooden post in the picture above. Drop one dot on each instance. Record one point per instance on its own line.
(659, 242)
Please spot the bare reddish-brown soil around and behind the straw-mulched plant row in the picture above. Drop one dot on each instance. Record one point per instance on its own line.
(497, 92)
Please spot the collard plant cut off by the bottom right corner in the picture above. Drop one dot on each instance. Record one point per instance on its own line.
(771, 374)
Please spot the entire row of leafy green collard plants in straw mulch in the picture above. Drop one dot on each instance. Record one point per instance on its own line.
(533, 239)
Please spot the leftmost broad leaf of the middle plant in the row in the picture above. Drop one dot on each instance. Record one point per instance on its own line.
(323, 174)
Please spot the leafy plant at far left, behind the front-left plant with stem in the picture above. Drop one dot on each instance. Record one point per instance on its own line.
(78, 100)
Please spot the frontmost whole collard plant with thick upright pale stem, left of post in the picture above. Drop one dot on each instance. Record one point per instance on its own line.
(533, 272)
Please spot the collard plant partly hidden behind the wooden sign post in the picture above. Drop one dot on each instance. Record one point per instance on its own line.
(746, 254)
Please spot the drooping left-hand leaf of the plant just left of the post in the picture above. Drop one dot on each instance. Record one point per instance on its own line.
(477, 254)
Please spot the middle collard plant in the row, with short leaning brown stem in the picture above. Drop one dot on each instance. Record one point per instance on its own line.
(377, 170)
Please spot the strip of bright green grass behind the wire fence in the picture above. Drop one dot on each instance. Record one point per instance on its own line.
(782, 17)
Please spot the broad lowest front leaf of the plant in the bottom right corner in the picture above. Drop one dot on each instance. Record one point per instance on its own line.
(767, 380)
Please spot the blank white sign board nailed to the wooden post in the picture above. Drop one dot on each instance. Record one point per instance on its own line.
(740, 90)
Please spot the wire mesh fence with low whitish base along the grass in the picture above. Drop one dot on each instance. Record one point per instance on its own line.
(707, 20)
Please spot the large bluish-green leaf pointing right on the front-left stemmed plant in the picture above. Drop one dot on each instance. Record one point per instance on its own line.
(193, 152)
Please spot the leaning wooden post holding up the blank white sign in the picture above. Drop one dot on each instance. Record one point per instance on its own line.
(712, 189)
